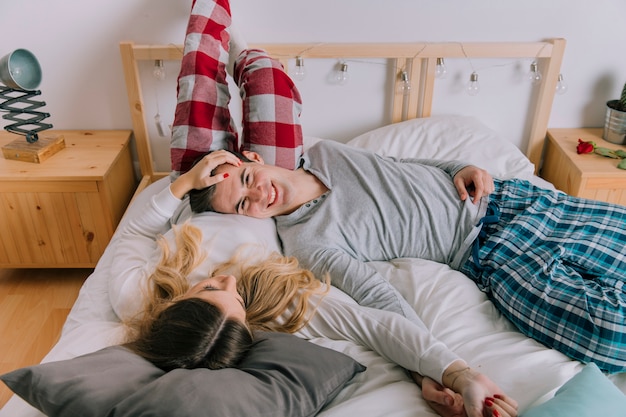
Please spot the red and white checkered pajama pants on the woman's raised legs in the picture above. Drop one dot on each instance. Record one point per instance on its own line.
(202, 122)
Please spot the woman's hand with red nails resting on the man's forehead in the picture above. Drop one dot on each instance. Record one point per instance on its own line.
(199, 176)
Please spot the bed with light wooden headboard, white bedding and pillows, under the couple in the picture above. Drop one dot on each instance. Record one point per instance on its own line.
(540, 379)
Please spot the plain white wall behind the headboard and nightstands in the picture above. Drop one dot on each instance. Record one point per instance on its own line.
(76, 42)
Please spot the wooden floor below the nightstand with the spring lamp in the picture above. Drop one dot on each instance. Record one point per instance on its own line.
(33, 306)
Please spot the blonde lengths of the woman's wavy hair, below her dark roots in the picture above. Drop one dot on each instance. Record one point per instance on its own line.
(275, 289)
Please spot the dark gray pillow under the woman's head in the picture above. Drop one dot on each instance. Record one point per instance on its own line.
(282, 375)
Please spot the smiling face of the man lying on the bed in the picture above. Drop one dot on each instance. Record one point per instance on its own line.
(255, 190)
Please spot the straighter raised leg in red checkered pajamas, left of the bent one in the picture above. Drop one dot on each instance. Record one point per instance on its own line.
(202, 120)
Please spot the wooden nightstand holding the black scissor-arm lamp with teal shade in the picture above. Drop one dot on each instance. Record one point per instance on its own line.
(63, 211)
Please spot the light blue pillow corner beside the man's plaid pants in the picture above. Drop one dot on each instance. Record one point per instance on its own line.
(588, 394)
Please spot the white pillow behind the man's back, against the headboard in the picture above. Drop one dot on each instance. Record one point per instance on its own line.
(461, 138)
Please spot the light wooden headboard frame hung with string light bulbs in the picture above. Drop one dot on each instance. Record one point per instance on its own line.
(419, 60)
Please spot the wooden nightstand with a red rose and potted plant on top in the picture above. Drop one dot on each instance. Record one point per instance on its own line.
(587, 175)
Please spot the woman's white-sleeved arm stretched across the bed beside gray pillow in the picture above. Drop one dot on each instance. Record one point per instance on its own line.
(411, 346)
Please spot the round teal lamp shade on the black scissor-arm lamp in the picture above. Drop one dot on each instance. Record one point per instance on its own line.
(20, 70)
